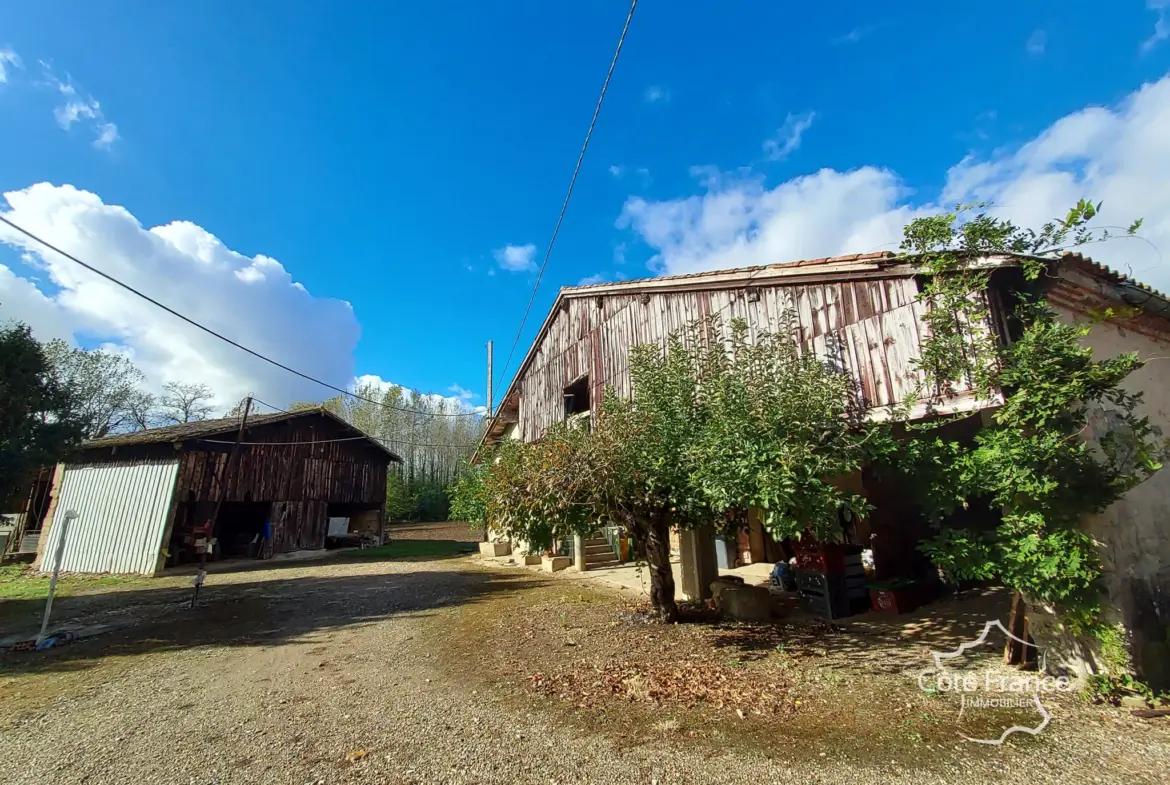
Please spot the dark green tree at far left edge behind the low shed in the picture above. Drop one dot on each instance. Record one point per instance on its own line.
(39, 423)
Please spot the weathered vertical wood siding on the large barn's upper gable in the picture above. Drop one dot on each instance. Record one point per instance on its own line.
(870, 328)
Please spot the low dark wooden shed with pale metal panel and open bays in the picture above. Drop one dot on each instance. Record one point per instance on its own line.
(143, 498)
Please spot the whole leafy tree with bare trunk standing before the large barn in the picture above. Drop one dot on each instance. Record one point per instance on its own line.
(712, 429)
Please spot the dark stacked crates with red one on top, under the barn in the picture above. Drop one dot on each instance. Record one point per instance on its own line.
(832, 581)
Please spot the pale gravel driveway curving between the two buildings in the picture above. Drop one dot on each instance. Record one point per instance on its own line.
(343, 673)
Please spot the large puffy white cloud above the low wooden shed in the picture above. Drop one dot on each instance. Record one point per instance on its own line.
(251, 300)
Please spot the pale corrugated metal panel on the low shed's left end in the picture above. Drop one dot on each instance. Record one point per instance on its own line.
(122, 509)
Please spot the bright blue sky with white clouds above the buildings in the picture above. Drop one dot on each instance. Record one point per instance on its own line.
(387, 155)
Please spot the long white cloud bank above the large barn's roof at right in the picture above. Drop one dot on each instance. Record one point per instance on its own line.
(1118, 155)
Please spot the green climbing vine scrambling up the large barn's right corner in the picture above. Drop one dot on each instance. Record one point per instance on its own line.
(1034, 464)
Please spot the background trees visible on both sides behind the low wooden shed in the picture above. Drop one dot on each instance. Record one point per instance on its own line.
(56, 396)
